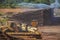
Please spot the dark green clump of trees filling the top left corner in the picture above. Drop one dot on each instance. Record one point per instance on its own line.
(8, 4)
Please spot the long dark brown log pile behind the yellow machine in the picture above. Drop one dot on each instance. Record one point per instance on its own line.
(43, 17)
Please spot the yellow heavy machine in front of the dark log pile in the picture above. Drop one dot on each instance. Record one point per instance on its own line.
(20, 31)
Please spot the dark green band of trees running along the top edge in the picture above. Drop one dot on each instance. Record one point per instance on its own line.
(13, 3)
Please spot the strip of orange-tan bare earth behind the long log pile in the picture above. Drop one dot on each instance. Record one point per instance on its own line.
(17, 10)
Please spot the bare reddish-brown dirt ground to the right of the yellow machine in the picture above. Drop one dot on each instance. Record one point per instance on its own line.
(50, 32)
